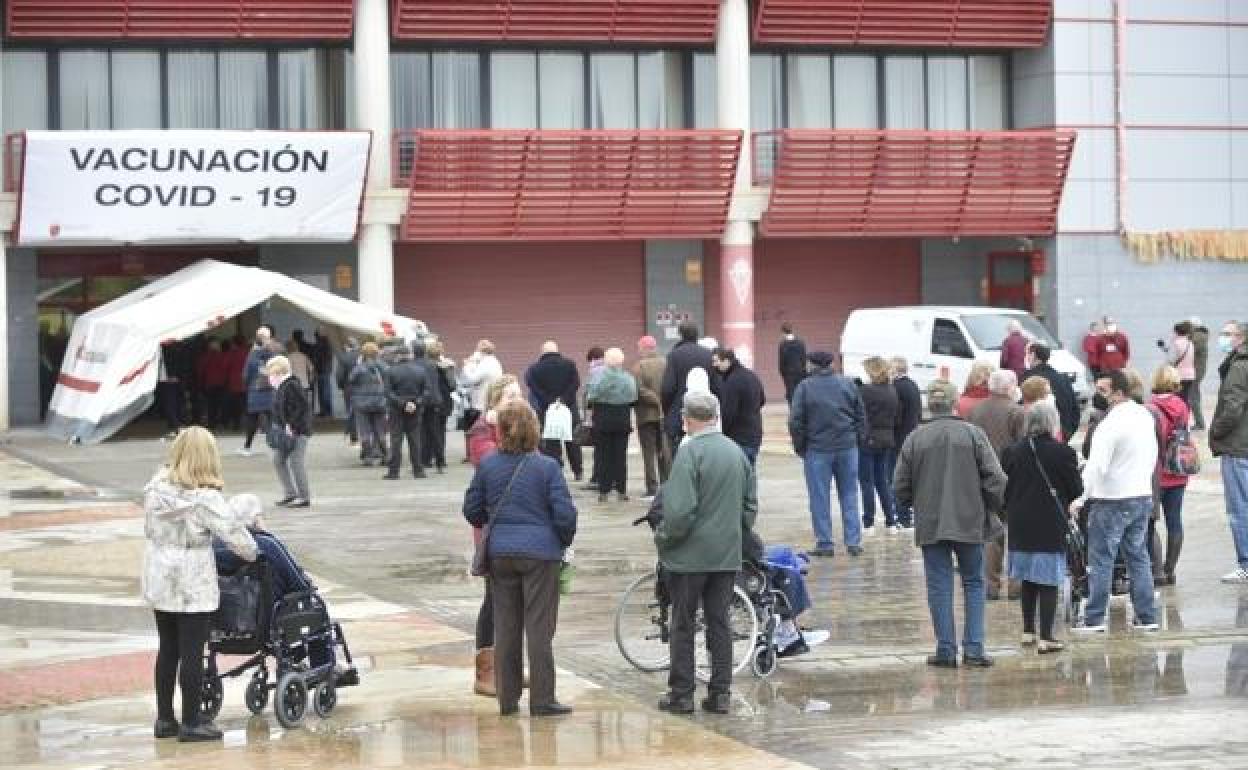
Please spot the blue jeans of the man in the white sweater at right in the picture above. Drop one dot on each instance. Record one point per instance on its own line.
(1110, 525)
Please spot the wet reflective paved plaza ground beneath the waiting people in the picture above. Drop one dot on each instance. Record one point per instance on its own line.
(391, 560)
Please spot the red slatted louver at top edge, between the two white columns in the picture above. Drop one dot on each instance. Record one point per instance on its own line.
(552, 21)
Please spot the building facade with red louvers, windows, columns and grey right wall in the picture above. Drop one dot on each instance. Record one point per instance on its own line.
(610, 170)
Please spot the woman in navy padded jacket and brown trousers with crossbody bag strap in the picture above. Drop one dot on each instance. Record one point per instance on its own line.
(534, 522)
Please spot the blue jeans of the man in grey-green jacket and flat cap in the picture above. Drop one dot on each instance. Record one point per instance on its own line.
(939, 570)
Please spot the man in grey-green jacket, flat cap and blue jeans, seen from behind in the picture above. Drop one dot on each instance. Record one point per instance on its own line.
(950, 475)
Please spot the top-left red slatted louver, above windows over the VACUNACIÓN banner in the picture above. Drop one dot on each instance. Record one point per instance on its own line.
(180, 19)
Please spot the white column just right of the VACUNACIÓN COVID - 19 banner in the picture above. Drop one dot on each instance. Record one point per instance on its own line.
(376, 253)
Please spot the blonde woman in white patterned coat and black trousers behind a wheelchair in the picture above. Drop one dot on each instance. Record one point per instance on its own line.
(183, 511)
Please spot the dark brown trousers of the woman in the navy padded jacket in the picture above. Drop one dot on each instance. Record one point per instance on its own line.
(526, 595)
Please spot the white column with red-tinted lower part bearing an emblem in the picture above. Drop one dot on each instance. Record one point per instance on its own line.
(737, 253)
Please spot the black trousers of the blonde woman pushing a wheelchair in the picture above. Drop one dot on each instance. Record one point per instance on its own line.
(180, 660)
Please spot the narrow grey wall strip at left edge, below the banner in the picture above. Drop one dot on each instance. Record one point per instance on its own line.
(23, 330)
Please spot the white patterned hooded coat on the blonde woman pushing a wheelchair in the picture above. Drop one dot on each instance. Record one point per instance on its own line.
(180, 575)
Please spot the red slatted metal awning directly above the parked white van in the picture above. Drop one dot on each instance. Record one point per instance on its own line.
(917, 183)
